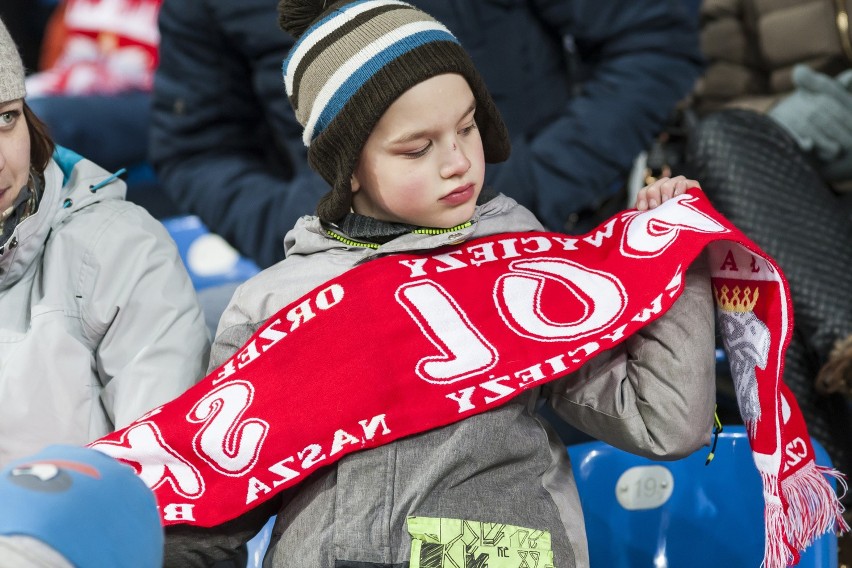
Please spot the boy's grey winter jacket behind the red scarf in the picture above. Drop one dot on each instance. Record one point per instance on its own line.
(653, 395)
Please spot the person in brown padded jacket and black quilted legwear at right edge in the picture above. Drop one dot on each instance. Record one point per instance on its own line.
(773, 151)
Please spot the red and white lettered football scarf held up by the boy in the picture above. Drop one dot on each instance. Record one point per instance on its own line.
(481, 322)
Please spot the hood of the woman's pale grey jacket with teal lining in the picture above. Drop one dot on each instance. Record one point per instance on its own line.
(71, 183)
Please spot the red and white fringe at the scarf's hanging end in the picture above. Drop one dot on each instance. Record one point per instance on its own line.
(813, 508)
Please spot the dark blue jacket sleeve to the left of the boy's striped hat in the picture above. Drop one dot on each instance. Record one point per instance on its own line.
(224, 141)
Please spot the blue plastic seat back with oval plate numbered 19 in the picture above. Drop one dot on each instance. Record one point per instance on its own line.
(713, 515)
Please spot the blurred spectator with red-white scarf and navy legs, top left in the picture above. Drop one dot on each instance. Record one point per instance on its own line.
(98, 61)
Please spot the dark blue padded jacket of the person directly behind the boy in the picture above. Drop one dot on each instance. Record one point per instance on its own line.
(227, 146)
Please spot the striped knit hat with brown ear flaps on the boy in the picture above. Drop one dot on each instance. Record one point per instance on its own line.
(352, 60)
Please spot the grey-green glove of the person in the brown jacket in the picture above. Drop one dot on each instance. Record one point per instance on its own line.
(818, 114)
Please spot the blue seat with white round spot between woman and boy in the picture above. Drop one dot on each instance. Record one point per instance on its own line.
(209, 260)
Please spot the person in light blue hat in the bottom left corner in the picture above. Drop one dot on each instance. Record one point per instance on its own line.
(74, 507)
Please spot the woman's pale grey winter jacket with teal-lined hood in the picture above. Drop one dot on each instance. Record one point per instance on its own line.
(99, 322)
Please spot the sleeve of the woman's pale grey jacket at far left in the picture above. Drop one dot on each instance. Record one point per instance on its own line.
(153, 339)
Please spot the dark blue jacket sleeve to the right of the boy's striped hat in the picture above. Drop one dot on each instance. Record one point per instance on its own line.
(637, 60)
